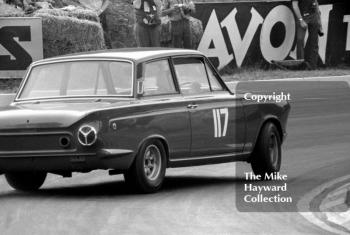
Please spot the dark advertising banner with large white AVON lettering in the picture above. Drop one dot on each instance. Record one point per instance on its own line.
(246, 33)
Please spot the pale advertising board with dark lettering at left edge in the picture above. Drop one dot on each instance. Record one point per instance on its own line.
(21, 43)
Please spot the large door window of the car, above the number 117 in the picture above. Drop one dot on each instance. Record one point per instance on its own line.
(191, 75)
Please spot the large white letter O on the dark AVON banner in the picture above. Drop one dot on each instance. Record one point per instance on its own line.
(268, 51)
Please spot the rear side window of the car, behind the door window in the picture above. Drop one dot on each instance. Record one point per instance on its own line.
(158, 79)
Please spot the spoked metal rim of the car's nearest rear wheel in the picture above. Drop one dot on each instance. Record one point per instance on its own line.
(152, 162)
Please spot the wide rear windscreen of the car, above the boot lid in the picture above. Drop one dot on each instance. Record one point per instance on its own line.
(79, 78)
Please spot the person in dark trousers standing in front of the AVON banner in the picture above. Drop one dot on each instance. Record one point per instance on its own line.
(308, 15)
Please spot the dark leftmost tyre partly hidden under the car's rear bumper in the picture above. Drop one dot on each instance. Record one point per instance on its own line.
(26, 181)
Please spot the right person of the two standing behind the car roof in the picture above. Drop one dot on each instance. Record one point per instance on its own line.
(179, 12)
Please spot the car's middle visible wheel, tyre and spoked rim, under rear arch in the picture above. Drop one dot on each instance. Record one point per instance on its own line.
(147, 172)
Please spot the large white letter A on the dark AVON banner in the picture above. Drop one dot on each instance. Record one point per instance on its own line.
(213, 35)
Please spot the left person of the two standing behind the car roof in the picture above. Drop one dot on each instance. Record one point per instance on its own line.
(147, 26)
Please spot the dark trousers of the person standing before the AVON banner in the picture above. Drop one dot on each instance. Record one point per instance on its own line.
(309, 52)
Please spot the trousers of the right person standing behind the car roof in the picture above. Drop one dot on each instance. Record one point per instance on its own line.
(181, 34)
